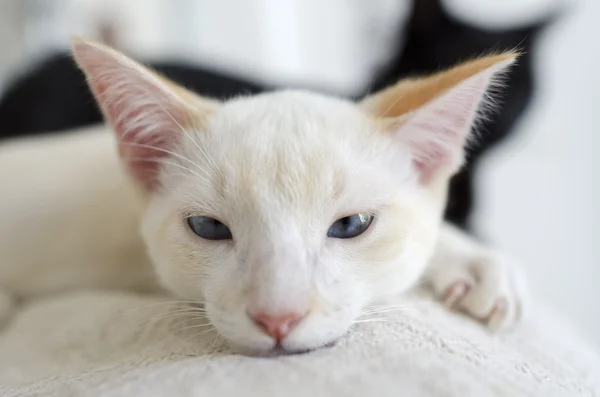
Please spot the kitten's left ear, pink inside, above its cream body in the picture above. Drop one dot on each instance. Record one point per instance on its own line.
(148, 113)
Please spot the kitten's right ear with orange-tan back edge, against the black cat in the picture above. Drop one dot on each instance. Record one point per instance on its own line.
(434, 115)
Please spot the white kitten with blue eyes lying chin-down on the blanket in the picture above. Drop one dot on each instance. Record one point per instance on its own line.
(284, 213)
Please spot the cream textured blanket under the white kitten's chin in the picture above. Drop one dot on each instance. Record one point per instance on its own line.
(112, 344)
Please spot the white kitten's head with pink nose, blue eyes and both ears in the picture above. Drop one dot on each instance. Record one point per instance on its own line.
(286, 213)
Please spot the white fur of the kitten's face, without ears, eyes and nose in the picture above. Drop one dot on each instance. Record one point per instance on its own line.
(278, 156)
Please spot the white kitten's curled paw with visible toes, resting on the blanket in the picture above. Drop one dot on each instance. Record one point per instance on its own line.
(489, 287)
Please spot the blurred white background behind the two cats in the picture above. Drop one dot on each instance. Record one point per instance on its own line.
(539, 193)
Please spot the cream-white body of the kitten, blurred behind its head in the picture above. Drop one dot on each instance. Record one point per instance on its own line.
(70, 216)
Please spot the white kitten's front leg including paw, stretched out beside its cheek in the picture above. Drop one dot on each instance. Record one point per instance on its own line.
(470, 277)
